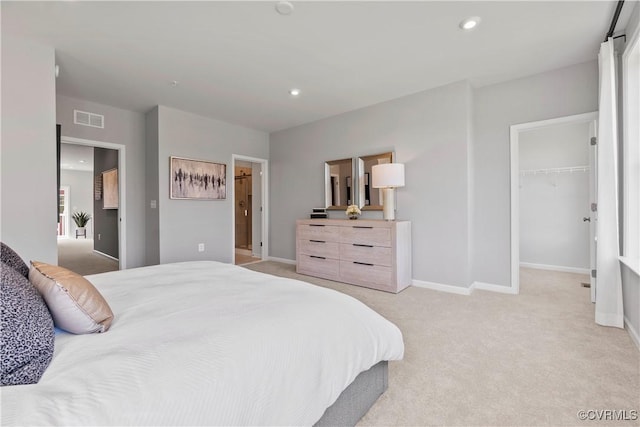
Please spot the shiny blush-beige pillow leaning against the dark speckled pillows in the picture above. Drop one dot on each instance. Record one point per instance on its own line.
(75, 304)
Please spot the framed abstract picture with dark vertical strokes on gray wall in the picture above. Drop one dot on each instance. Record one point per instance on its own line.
(197, 179)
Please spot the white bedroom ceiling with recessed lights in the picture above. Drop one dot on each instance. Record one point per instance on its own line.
(237, 61)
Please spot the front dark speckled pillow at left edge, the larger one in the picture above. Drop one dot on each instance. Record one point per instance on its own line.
(26, 330)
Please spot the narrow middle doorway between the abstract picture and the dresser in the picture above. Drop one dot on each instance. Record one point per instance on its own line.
(249, 209)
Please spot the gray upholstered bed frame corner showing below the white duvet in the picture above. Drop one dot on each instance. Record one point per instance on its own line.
(357, 398)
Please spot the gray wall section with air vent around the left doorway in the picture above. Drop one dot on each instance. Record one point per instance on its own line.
(126, 128)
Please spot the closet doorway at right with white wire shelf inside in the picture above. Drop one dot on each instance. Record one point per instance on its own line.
(552, 187)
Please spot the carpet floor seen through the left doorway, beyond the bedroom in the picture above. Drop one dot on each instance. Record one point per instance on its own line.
(77, 255)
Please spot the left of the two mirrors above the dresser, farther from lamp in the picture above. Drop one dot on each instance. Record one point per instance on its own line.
(338, 183)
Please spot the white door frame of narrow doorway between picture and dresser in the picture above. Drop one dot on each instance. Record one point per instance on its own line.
(264, 188)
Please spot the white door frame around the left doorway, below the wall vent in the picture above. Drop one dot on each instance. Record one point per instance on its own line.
(122, 205)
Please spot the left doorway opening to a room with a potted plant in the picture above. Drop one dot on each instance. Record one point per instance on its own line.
(88, 162)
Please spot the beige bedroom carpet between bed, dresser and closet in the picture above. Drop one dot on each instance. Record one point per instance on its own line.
(490, 359)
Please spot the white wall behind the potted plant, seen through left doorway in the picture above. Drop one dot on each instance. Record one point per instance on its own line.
(80, 185)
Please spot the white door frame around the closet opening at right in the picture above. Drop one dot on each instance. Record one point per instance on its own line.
(515, 130)
